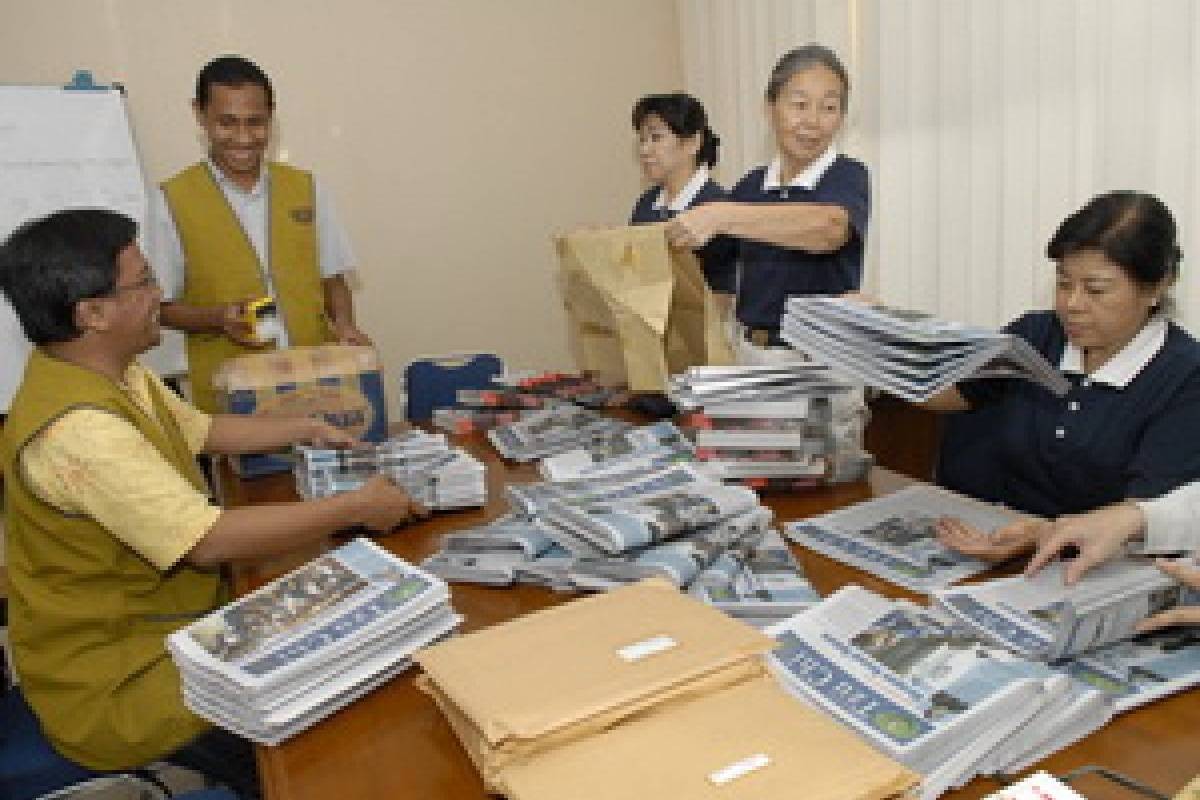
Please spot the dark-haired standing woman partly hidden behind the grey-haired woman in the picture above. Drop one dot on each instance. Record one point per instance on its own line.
(677, 151)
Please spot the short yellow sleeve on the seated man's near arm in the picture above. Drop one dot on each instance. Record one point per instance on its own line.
(95, 464)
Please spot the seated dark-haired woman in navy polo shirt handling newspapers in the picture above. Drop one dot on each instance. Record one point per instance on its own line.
(1125, 431)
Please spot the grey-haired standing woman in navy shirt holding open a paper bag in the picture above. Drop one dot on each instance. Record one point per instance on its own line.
(801, 221)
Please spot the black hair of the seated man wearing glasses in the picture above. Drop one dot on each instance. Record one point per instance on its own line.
(49, 266)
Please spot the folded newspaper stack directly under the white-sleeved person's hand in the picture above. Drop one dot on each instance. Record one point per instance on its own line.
(1043, 618)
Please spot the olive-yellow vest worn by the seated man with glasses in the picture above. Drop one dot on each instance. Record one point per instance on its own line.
(87, 615)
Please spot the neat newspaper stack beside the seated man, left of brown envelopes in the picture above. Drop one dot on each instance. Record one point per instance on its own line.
(274, 663)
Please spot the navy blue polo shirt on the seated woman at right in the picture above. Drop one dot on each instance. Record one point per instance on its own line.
(1049, 456)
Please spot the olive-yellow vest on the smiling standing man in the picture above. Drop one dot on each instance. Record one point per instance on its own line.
(223, 267)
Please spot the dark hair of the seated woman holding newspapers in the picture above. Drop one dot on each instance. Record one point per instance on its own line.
(1135, 231)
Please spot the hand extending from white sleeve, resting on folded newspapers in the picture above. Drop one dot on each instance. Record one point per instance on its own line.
(1099, 536)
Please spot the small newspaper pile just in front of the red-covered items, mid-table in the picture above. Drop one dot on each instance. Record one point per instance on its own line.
(553, 431)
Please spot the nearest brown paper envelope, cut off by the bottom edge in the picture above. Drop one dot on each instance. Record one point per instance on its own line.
(785, 749)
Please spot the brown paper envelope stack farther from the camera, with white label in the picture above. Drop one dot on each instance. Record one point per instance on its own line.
(543, 672)
